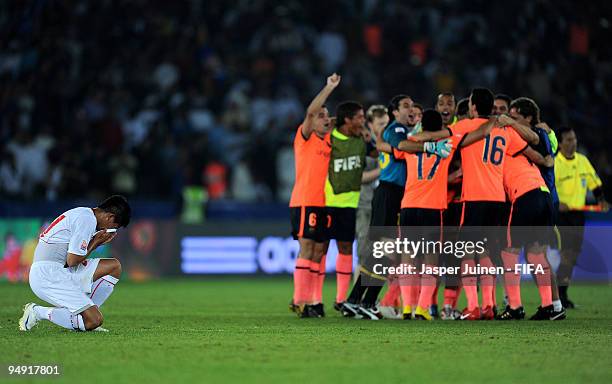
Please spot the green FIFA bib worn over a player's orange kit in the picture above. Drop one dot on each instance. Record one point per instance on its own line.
(346, 165)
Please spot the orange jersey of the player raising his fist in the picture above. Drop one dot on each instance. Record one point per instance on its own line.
(311, 163)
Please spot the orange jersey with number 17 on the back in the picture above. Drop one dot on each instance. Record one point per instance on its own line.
(426, 179)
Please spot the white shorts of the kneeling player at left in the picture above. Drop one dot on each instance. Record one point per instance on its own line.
(64, 287)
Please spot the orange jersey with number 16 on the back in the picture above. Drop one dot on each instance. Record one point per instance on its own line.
(483, 161)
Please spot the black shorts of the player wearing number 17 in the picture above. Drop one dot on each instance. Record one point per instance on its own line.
(421, 223)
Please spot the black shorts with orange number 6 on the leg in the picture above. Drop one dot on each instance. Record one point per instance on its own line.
(309, 223)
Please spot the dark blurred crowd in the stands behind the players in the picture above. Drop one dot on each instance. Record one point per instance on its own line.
(143, 99)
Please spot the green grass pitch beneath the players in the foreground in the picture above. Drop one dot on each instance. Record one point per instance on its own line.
(216, 330)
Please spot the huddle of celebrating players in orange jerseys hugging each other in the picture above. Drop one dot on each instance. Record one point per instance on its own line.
(482, 167)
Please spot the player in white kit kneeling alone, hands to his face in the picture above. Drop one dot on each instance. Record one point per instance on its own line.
(61, 274)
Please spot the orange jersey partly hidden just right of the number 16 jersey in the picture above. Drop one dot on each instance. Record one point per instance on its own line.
(521, 176)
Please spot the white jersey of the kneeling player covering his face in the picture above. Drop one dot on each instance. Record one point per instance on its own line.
(69, 233)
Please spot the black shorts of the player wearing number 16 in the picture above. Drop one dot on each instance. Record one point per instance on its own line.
(483, 220)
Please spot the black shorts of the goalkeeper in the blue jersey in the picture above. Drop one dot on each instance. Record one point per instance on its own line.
(386, 204)
